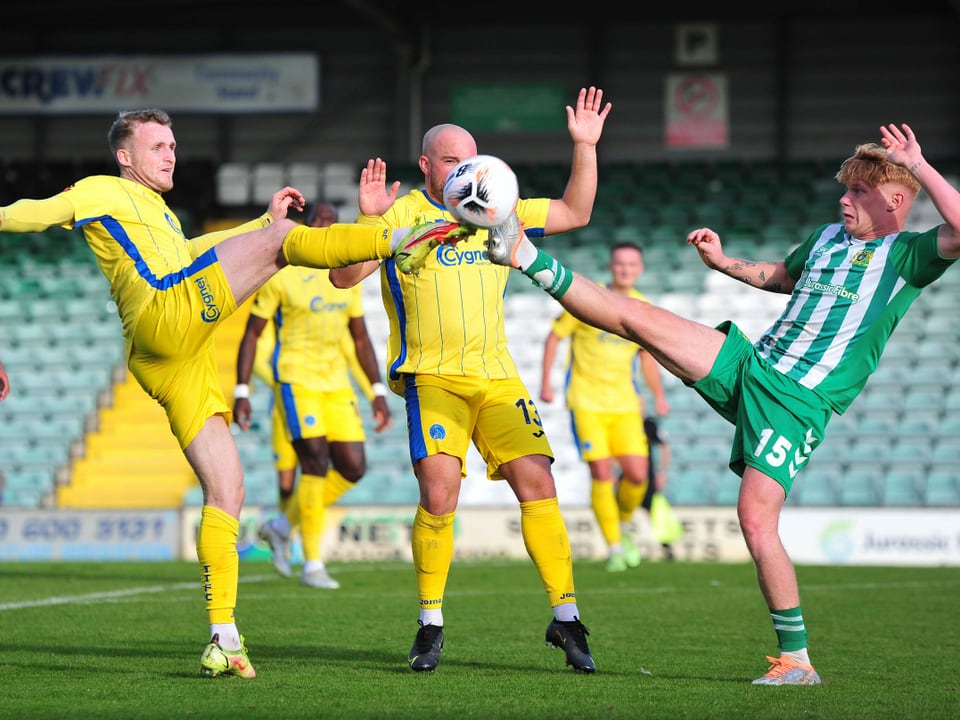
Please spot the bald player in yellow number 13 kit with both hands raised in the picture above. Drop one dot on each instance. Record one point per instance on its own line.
(448, 359)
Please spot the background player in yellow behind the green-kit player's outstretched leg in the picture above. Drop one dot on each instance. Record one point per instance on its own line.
(606, 417)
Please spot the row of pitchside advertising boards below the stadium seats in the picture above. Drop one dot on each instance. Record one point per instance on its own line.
(821, 536)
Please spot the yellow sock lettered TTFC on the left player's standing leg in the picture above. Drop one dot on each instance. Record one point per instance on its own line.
(219, 563)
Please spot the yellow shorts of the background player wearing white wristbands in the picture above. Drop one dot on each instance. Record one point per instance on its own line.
(309, 413)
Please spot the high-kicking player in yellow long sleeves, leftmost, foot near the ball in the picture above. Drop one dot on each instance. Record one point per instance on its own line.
(172, 293)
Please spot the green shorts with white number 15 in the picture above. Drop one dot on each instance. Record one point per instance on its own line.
(778, 421)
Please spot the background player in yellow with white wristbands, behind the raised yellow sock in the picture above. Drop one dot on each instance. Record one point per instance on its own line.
(312, 322)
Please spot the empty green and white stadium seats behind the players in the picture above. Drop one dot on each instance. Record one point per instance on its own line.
(896, 446)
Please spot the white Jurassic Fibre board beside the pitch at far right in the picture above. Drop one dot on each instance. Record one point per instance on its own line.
(858, 536)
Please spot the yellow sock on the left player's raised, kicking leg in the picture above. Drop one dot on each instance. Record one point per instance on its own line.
(336, 245)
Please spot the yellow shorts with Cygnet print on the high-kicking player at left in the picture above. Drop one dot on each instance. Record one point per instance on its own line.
(172, 353)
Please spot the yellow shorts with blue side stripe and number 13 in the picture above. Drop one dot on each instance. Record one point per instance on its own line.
(444, 413)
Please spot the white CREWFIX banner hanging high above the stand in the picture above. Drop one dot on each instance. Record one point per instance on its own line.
(210, 83)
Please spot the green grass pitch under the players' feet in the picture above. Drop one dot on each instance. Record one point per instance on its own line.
(680, 640)
